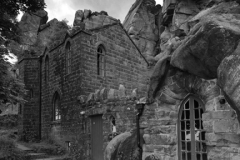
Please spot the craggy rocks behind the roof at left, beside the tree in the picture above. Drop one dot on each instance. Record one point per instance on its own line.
(36, 33)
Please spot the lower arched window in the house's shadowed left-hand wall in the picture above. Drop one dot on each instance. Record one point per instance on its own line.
(56, 107)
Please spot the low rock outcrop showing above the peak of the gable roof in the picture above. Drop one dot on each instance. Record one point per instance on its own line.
(92, 20)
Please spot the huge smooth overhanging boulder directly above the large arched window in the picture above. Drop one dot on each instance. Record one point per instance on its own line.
(215, 34)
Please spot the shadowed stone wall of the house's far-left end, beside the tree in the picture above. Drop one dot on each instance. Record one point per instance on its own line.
(29, 73)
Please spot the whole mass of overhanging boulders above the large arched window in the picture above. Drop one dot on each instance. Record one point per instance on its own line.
(209, 50)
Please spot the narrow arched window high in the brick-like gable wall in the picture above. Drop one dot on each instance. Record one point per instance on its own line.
(100, 60)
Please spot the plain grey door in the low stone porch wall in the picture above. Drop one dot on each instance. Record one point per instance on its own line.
(97, 137)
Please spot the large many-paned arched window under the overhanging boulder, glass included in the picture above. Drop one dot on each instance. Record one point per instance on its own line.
(191, 136)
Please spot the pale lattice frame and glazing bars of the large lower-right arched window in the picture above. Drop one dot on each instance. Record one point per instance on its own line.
(192, 118)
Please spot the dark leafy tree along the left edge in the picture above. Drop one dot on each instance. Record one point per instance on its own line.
(11, 88)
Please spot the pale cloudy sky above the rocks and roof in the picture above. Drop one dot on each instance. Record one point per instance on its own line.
(65, 9)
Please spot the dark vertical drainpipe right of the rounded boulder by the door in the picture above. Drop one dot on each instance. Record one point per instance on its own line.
(140, 108)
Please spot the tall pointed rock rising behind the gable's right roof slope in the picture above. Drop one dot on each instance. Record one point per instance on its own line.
(141, 25)
